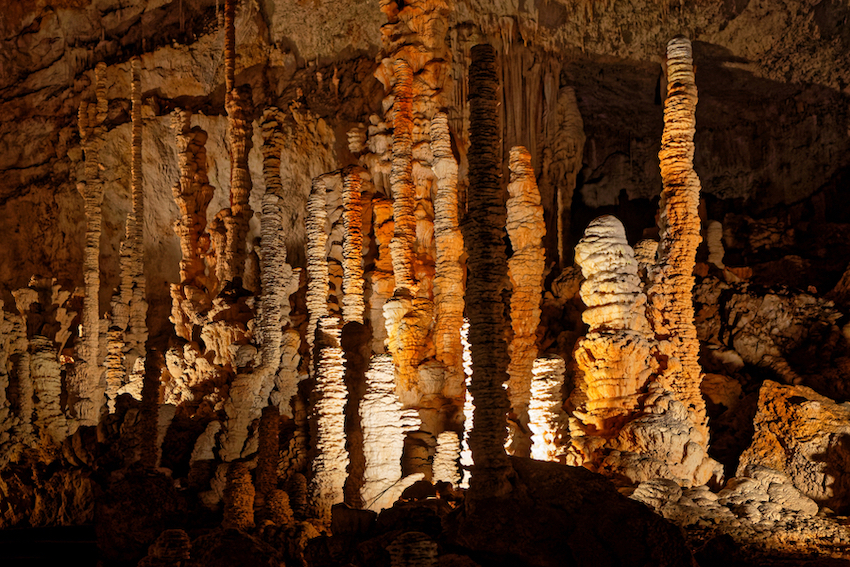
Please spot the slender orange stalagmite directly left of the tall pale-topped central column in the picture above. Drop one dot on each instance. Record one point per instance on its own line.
(401, 181)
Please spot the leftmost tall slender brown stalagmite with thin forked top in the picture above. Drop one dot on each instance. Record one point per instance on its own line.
(91, 120)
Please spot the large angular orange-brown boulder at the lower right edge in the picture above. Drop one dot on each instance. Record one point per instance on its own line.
(805, 436)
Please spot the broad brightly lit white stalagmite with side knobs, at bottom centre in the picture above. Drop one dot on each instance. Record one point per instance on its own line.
(385, 425)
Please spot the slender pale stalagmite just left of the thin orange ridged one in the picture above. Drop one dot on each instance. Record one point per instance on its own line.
(317, 260)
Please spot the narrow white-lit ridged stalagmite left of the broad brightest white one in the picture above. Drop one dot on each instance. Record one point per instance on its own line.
(327, 421)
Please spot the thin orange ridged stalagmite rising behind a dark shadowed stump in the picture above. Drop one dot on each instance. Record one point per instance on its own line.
(352, 247)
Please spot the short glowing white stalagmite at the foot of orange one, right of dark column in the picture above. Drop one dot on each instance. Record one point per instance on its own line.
(547, 420)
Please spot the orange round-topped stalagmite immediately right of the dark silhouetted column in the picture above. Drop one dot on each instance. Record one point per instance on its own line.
(526, 230)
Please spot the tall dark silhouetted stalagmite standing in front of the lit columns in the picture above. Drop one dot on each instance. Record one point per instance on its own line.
(487, 280)
